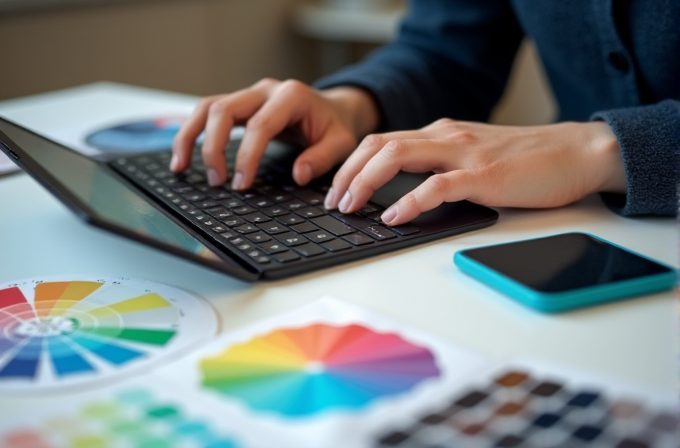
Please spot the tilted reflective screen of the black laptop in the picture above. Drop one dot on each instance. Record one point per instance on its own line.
(103, 193)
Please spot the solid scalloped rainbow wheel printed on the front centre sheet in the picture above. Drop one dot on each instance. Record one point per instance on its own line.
(303, 371)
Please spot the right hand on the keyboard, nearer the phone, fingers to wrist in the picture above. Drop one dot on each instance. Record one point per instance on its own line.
(503, 166)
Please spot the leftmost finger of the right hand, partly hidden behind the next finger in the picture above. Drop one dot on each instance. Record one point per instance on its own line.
(368, 148)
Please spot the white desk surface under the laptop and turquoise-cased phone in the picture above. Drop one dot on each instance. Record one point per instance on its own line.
(633, 341)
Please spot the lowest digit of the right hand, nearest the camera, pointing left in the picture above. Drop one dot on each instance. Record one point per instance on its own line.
(452, 186)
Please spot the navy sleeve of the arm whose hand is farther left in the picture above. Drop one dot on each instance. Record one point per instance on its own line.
(451, 58)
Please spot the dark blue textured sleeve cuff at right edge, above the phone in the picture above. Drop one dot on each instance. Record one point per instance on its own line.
(649, 138)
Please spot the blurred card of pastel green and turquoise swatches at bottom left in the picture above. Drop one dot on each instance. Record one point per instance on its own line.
(135, 414)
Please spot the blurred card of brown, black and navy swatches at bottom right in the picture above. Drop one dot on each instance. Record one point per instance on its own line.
(533, 405)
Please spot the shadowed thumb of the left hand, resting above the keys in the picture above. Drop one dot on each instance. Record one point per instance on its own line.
(319, 158)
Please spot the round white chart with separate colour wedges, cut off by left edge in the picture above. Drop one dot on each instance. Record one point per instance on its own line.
(60, 331)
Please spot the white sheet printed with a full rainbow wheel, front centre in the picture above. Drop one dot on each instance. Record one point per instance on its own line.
(330, 374)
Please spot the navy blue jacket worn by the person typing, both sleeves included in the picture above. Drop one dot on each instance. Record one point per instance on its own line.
(611, 60)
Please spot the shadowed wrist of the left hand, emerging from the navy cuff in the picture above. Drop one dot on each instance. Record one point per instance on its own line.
(355, 107)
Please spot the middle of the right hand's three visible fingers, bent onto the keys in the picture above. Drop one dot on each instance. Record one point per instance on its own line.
(410, 155)
